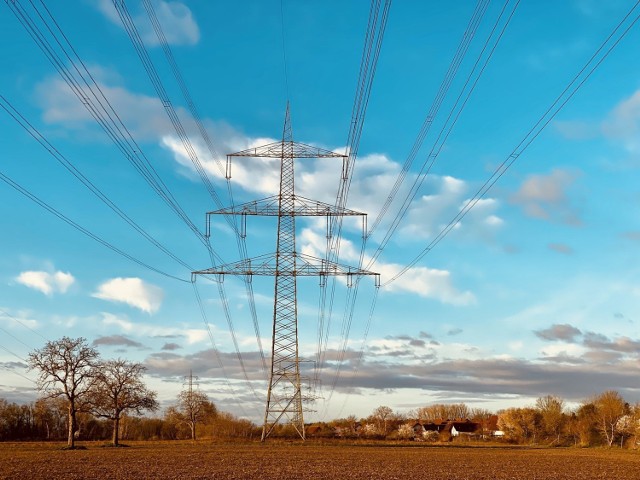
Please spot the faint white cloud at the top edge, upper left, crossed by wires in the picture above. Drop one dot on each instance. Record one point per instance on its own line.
(178, 25)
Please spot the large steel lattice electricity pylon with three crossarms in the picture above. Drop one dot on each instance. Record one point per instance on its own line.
(284, 395)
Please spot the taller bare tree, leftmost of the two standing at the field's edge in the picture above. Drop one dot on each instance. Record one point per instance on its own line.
(67, 368)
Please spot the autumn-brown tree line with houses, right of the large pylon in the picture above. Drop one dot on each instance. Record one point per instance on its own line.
(605, 419)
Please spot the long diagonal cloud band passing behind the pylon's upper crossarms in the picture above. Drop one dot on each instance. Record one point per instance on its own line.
(316, 178)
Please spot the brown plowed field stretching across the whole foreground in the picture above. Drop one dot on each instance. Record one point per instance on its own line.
(173, 460)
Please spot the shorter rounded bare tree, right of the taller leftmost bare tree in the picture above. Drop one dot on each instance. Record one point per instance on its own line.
(119, 388)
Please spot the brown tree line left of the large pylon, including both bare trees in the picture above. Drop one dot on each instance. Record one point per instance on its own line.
(89, 398)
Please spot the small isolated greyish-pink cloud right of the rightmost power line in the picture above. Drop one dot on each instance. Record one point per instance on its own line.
(545, 197)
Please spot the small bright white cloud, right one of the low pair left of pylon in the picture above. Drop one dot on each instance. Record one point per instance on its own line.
(132, 291)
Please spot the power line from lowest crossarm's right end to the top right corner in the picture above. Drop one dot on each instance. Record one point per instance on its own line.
(557, 105)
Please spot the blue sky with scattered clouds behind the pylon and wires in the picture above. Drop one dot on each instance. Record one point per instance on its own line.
(535, 292)
